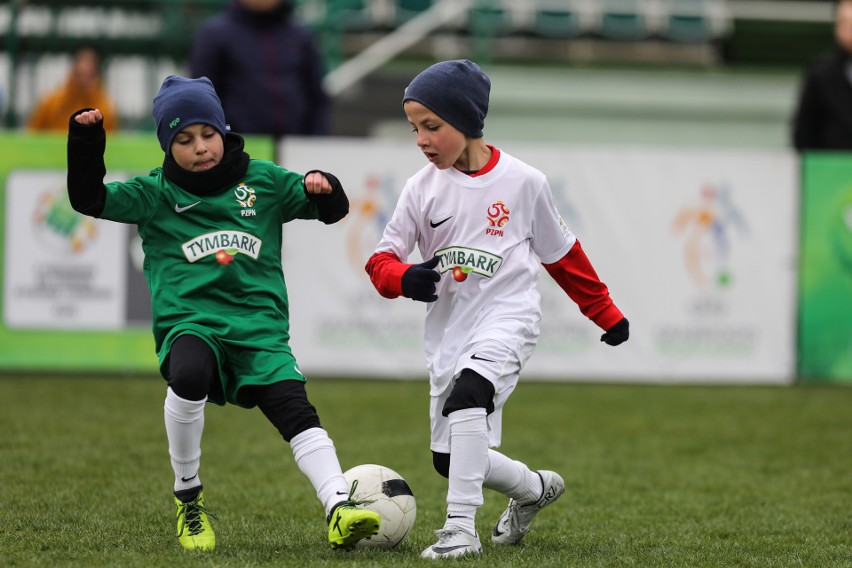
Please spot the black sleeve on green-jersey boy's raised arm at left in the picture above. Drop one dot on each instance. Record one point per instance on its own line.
(86, 169)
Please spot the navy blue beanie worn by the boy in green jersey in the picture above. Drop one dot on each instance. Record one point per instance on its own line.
(181, 102)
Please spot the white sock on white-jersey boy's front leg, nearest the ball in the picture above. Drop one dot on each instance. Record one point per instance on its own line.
(468, 465)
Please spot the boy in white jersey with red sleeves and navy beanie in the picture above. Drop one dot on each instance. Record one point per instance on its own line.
(485, 220)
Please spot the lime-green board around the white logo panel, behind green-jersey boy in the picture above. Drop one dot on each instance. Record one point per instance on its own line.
(126, 350)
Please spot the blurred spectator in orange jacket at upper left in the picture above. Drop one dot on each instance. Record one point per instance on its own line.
(82, 89)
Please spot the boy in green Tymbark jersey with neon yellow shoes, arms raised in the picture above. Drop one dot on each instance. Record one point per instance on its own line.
(210, 221)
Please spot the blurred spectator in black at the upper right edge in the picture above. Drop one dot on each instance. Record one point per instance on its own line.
(823, 118)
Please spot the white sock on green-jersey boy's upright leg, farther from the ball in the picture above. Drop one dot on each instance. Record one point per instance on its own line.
(184, 426)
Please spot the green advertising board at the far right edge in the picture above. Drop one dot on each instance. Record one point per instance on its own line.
(825, 304)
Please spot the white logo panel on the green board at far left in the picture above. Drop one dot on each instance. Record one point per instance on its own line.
(62, 270)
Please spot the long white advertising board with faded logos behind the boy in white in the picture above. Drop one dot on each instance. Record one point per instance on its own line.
(697, 247)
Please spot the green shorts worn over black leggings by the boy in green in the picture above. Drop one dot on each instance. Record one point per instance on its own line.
(240, 364)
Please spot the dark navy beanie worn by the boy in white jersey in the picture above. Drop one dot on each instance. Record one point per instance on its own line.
(457, 91)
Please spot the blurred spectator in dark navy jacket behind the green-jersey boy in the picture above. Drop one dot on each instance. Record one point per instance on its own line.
(266, 69)
